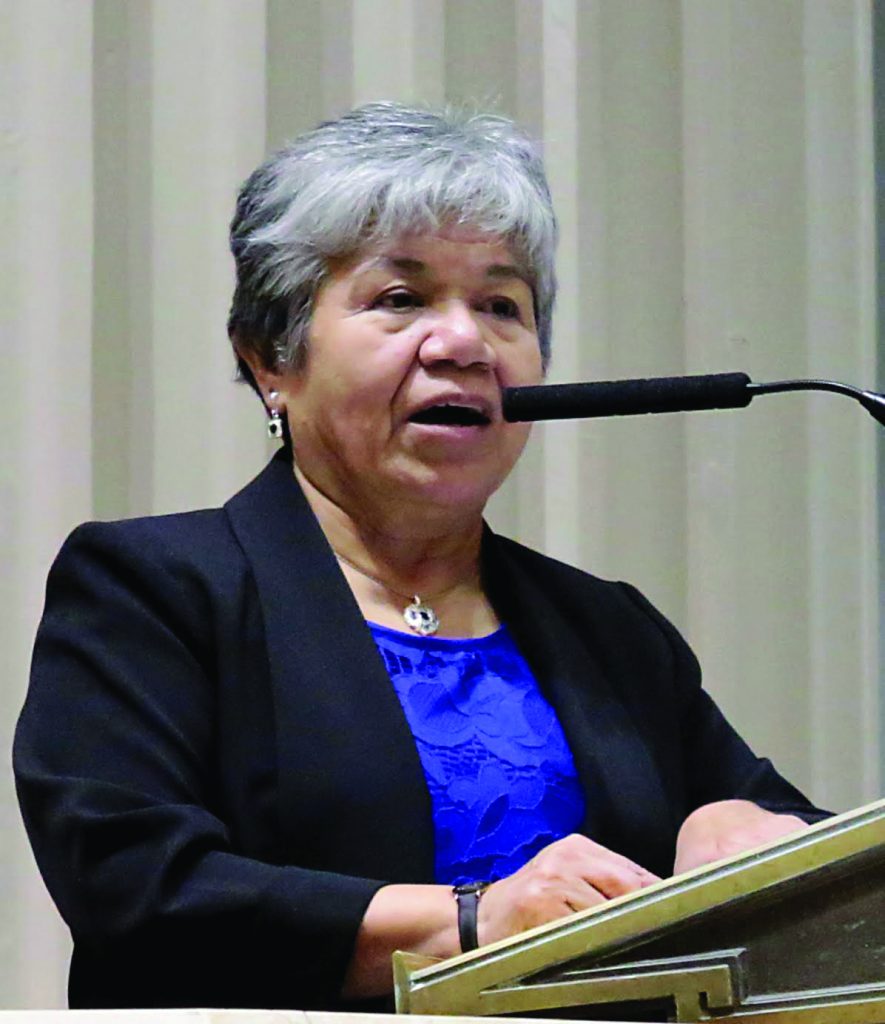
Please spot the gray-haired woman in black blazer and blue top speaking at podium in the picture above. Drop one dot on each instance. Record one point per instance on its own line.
(264, 743)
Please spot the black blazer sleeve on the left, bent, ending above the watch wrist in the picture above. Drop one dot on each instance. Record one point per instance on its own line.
(114, 759)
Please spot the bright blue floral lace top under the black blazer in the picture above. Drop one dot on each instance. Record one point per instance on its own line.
(499, 770)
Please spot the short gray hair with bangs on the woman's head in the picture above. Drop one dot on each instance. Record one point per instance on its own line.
(383, 170)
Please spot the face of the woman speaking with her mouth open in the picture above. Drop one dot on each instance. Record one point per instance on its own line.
(411, 346)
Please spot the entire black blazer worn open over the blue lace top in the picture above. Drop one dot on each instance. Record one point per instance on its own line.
(217, 775)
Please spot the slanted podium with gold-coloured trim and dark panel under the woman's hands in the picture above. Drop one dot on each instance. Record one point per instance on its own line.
(789, 933)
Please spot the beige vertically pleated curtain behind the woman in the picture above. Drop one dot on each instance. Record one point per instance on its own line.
(712, 166)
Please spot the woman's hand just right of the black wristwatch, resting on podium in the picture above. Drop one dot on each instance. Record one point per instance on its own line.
(572, 874)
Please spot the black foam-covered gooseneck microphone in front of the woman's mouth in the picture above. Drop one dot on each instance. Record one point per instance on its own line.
(661, 395)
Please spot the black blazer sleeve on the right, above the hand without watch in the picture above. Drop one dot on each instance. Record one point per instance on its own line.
(718, 763)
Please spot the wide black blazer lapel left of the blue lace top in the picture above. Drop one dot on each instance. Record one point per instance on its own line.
(352, 791)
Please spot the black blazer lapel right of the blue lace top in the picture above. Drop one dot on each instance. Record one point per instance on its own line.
(627, 807)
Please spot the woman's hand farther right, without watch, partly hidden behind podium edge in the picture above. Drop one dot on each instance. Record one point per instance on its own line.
(727, 828)
